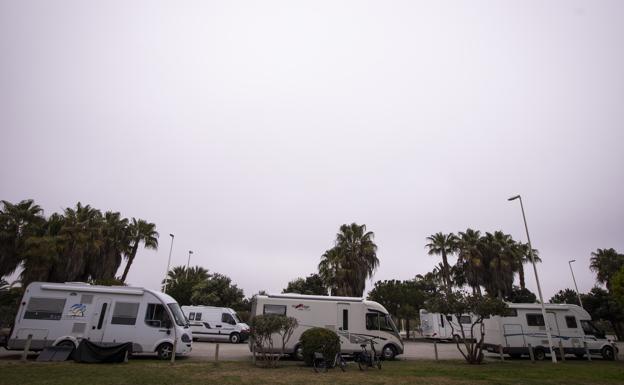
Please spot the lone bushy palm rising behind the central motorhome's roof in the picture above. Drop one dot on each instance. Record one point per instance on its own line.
(346, 267)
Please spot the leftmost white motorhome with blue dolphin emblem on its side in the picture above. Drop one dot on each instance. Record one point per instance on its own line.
(65, 313)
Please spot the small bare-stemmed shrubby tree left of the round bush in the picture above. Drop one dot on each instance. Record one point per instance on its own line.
(264, 330)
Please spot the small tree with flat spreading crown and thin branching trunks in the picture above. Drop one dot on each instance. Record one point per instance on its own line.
(479, 307)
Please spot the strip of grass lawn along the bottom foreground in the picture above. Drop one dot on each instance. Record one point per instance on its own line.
(138, 372)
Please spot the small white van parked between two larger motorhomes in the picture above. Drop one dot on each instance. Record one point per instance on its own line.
(216, 323)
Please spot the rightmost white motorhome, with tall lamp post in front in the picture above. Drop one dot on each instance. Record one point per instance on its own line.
(569, 324)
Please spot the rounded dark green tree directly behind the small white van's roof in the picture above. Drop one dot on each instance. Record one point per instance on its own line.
(217, 290)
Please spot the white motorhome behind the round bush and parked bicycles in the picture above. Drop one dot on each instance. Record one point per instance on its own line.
(355, 320)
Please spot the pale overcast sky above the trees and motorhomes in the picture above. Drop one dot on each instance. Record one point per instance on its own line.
(253, 129)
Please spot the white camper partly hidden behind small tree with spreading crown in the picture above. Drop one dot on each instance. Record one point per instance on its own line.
(444, 327)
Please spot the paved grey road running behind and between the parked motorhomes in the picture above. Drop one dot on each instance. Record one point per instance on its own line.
(205, 351)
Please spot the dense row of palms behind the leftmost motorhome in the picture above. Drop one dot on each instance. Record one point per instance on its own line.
(79, 244)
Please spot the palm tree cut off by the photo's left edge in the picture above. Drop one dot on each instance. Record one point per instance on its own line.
(17, 223)
